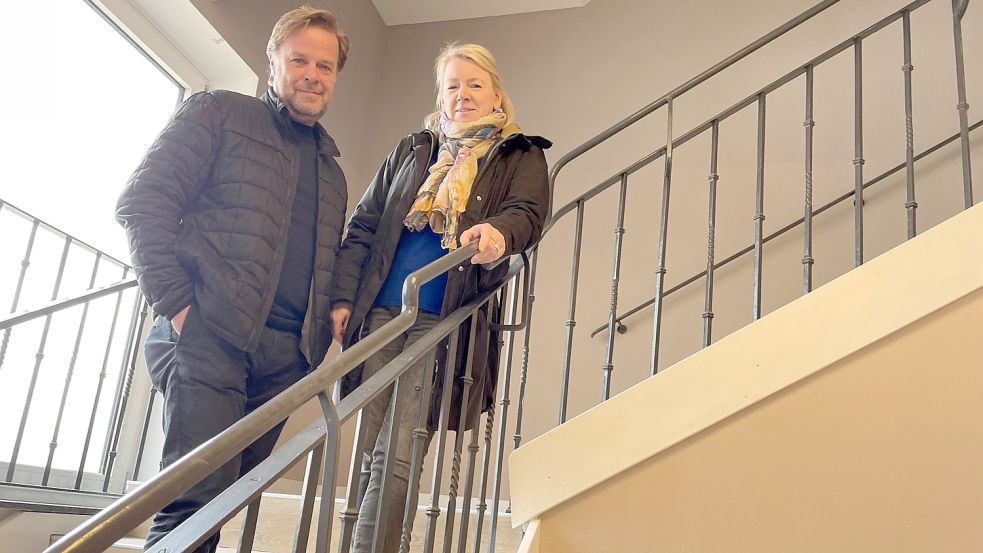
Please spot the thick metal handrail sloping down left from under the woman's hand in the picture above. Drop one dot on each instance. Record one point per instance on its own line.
(102, 530)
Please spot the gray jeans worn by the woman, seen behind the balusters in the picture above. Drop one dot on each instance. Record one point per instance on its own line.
(376, 417)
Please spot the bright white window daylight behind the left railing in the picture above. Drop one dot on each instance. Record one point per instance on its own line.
(81, 106)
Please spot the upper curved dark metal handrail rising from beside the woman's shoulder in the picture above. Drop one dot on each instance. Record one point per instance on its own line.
(685, 87)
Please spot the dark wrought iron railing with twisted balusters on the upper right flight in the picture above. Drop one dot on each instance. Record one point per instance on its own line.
(614, 324)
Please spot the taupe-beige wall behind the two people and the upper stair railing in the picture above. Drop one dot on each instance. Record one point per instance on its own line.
(574, 72)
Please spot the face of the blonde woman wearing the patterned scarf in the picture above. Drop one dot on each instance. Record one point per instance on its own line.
(467, 94)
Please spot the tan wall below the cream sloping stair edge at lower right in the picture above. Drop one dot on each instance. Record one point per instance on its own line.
(880, 452)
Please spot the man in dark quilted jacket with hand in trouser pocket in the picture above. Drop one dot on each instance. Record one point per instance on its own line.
(234, 219)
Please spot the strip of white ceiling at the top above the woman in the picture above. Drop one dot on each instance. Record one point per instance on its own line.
(401, 12)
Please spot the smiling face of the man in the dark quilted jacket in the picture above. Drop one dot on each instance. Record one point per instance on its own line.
(303, 72)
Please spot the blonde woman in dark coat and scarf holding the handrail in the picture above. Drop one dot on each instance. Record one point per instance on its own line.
(471, 175)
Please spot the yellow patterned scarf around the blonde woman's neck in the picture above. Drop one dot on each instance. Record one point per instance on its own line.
(444, 194)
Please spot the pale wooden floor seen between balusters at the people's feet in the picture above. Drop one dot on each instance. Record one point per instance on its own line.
(278, 520)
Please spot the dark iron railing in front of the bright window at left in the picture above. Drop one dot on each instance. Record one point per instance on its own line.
(92, 361)
